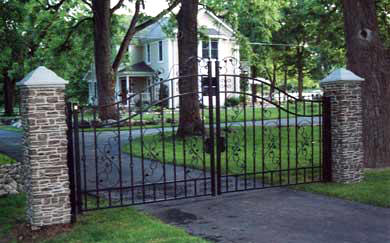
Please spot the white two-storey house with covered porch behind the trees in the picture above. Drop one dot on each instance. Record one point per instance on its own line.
(154, 57)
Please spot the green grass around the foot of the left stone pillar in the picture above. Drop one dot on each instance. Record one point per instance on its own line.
(113, 225)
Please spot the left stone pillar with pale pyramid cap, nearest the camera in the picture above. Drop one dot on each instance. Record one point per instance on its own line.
(42, 95)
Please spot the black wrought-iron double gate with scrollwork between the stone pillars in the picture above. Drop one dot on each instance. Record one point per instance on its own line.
(251, 138)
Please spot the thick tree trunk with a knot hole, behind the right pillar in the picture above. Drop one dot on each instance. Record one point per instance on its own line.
(368, 58)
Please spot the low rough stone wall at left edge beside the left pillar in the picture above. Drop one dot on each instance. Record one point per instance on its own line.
(11, 179)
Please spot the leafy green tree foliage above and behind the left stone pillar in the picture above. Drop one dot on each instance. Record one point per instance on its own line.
(32, 34)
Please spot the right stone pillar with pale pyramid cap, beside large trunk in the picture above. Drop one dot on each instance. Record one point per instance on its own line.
(345, 91)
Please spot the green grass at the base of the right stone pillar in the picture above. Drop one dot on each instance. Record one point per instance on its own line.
(374, 189)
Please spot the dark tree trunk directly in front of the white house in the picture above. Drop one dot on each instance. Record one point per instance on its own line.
(190, 122)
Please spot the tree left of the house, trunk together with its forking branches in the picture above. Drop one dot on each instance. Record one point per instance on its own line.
(105, 70)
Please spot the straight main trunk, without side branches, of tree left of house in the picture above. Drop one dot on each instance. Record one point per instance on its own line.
(104, 73)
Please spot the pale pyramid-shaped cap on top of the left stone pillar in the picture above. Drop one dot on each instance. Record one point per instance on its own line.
(42, 77)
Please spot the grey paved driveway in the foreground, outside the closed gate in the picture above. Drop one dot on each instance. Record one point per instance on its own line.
(277, 215)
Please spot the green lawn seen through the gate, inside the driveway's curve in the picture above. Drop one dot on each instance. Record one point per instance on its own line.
(273, 157)
